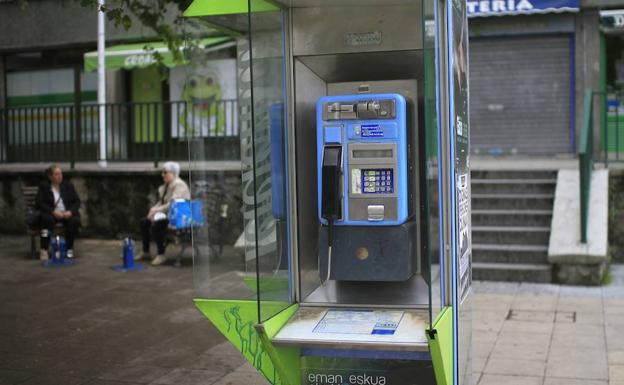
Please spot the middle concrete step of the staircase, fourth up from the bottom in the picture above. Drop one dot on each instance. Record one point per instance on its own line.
(511, 217)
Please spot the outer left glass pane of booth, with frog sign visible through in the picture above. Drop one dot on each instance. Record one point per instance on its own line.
(224, 265)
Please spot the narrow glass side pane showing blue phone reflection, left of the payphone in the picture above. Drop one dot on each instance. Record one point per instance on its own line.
(269, 136)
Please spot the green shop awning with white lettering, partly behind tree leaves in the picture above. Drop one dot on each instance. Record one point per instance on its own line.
(130, 56)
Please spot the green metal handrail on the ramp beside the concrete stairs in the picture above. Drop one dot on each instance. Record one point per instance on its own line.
(586, 160)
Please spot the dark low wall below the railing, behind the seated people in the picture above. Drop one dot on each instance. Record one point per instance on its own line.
(114, 202)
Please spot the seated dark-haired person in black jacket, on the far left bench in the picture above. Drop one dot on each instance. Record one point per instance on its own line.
(57, 202)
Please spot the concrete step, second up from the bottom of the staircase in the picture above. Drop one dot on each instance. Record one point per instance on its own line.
(512, 253)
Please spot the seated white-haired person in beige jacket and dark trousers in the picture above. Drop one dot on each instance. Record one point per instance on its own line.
(155, 224)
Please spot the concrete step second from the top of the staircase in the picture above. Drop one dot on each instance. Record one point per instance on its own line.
(513, 186)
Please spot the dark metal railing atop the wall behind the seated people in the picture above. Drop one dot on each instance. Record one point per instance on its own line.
(134, 132)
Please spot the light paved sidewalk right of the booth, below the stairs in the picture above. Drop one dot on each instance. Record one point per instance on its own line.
(535, 334)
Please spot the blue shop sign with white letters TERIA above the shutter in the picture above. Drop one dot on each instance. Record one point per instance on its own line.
(480, 8)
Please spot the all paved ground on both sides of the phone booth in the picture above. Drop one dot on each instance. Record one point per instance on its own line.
(88, 325)
